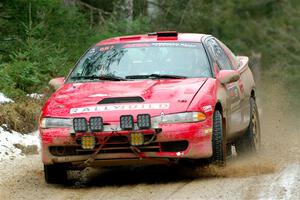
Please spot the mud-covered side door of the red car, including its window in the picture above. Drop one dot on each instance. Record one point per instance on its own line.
(233, 90)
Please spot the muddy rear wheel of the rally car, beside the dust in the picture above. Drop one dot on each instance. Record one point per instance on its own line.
(250, 141)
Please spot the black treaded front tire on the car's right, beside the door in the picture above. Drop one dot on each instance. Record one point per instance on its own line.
(218, 140)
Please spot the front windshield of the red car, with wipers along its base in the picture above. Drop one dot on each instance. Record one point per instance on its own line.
(156, 60)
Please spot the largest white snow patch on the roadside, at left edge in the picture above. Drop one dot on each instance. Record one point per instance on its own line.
(14, 144)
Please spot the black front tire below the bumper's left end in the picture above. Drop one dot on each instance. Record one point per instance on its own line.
(55, 174)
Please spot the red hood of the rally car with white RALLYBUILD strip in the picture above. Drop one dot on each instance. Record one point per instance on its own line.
(162, 95)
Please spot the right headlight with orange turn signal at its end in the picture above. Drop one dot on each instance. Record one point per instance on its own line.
(180, 118)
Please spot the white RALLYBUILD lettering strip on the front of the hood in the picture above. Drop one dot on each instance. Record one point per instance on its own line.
(120, 107)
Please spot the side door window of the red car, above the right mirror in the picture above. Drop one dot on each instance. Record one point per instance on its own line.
(218, 54)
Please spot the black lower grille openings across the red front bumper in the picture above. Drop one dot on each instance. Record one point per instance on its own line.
(120, 144)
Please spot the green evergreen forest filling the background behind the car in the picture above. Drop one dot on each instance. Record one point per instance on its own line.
(42, 39)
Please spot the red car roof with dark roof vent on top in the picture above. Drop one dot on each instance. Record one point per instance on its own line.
(169, 36)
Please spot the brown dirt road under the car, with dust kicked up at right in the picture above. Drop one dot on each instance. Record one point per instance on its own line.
(274, 174)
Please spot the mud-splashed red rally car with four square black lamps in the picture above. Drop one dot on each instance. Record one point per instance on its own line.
(150, 99)
